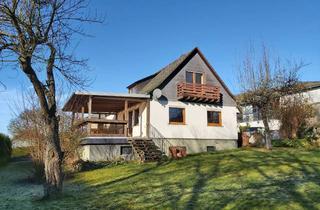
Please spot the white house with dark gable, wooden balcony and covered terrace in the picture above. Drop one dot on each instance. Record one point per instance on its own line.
(184, 104)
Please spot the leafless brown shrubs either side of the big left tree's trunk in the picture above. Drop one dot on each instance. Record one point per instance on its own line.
(29, 127)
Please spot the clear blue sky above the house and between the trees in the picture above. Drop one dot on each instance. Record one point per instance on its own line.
(139, 37)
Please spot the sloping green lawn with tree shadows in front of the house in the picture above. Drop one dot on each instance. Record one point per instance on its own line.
(236, 179)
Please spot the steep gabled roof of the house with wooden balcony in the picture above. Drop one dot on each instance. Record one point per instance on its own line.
(162, 77)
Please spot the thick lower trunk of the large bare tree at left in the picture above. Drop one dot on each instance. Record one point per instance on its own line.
(53, 160)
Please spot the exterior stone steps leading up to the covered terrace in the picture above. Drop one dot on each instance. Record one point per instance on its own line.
(145, 149)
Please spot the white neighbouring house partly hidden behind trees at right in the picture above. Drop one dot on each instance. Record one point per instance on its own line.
(251, 117)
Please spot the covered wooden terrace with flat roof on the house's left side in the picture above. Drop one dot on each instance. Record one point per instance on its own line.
(106, 114)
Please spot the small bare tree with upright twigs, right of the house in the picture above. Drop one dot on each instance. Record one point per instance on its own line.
(263, 81)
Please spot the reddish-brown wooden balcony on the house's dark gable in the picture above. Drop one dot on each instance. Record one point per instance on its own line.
(198, 92)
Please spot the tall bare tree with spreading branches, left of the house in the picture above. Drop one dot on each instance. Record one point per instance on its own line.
(35, 35)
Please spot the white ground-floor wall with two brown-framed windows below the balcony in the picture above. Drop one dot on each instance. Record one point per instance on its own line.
(196, 121)
